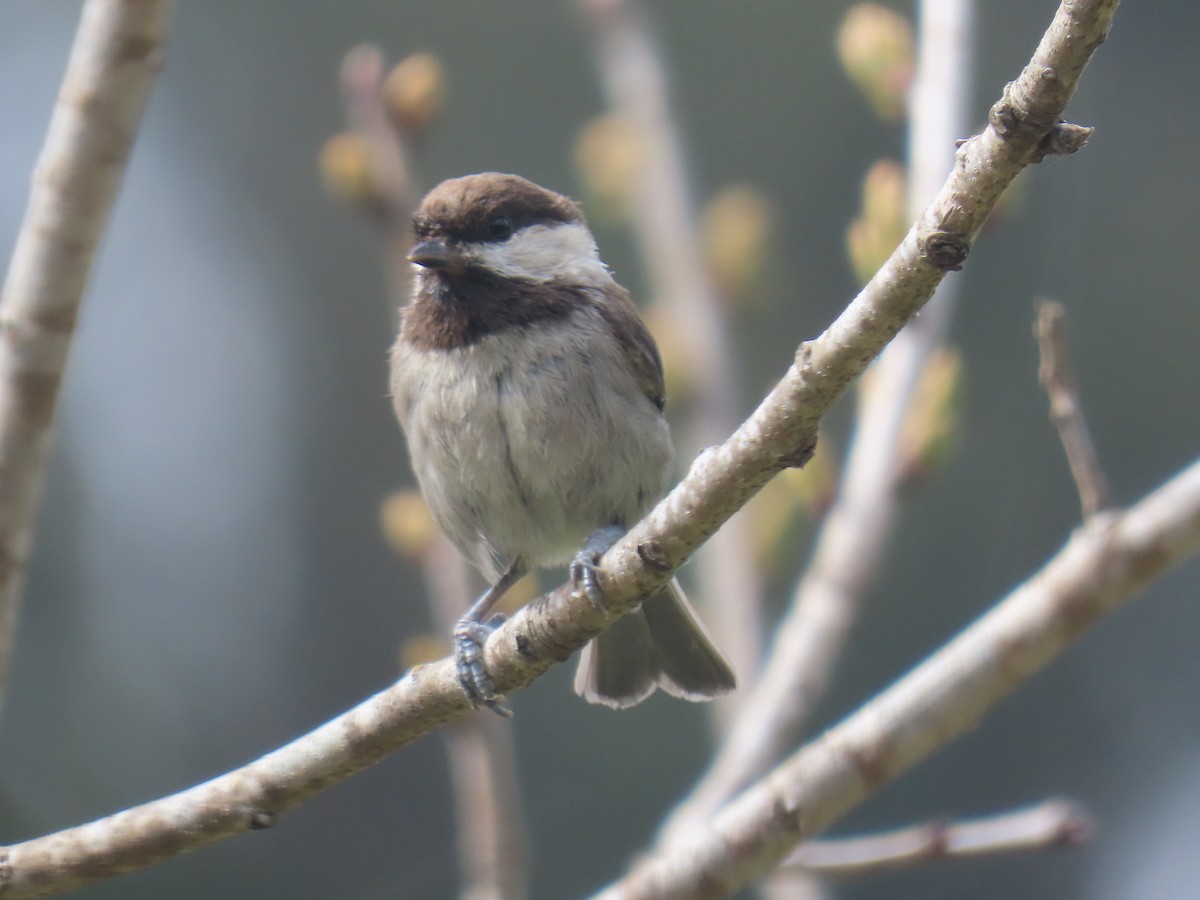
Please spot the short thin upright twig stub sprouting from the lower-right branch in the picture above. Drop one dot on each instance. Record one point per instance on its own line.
(1058, 377)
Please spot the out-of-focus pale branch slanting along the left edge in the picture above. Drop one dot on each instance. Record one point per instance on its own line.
(117, 55)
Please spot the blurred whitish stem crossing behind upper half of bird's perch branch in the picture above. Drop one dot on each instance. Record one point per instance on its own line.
(829, 598)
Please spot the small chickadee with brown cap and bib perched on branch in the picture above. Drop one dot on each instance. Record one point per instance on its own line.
(532, 399)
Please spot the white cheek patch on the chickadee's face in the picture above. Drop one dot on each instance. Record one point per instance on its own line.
(541, 254)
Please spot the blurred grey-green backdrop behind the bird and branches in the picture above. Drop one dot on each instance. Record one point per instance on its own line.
(211, 579)
